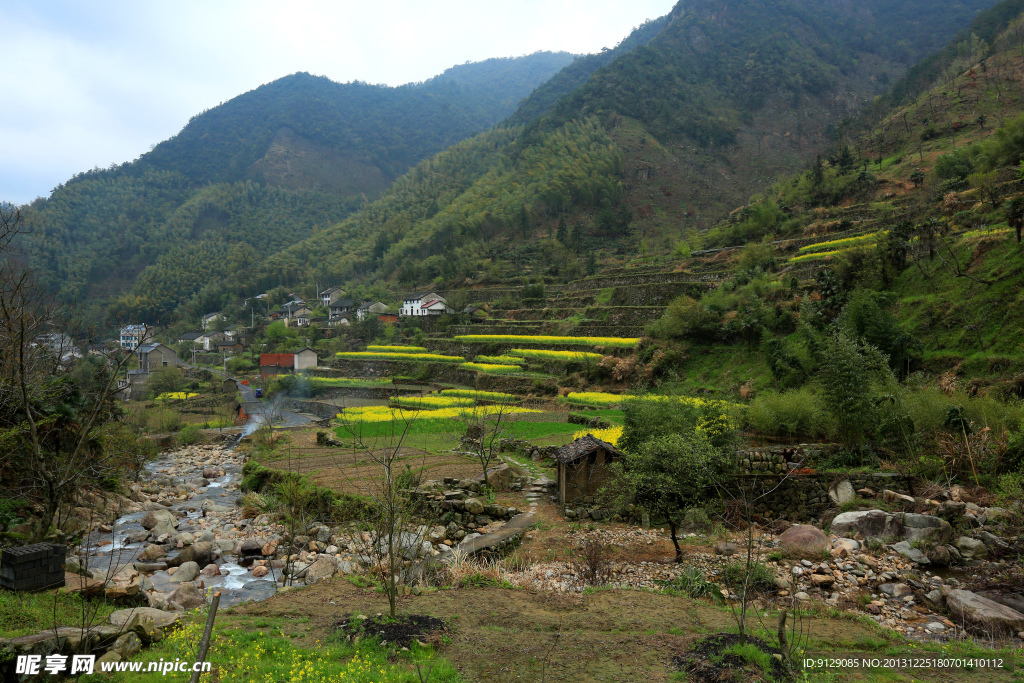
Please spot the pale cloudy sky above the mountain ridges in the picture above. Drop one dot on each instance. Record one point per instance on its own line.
(90, 84)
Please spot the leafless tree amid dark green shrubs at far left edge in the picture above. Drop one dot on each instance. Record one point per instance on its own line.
(51, 420)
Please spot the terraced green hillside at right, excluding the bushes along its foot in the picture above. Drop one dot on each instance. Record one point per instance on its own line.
(906, 238)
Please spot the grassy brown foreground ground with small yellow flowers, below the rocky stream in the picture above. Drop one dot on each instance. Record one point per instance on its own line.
(499, 635)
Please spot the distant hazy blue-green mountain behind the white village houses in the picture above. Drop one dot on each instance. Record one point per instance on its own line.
(265, 169)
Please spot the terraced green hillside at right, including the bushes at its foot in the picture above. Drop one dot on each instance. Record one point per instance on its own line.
(911, 316)
